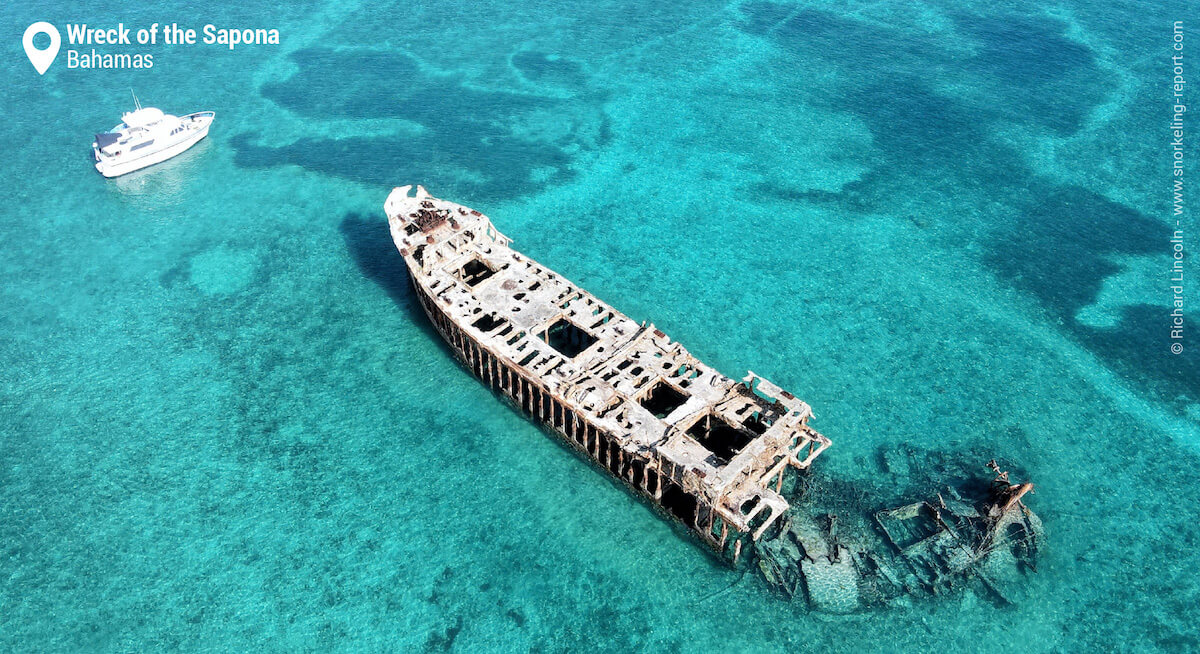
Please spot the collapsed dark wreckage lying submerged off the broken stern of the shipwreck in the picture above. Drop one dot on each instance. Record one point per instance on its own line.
(931, 548)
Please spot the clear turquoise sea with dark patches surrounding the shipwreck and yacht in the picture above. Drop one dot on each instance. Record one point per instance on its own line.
(945, 225)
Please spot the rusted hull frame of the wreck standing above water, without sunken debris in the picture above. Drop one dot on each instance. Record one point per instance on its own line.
(709, 451)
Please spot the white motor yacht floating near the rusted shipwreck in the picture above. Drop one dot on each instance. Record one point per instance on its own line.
(146, 137)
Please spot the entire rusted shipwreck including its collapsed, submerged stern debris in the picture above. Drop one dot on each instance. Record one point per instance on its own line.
(716, 454)
